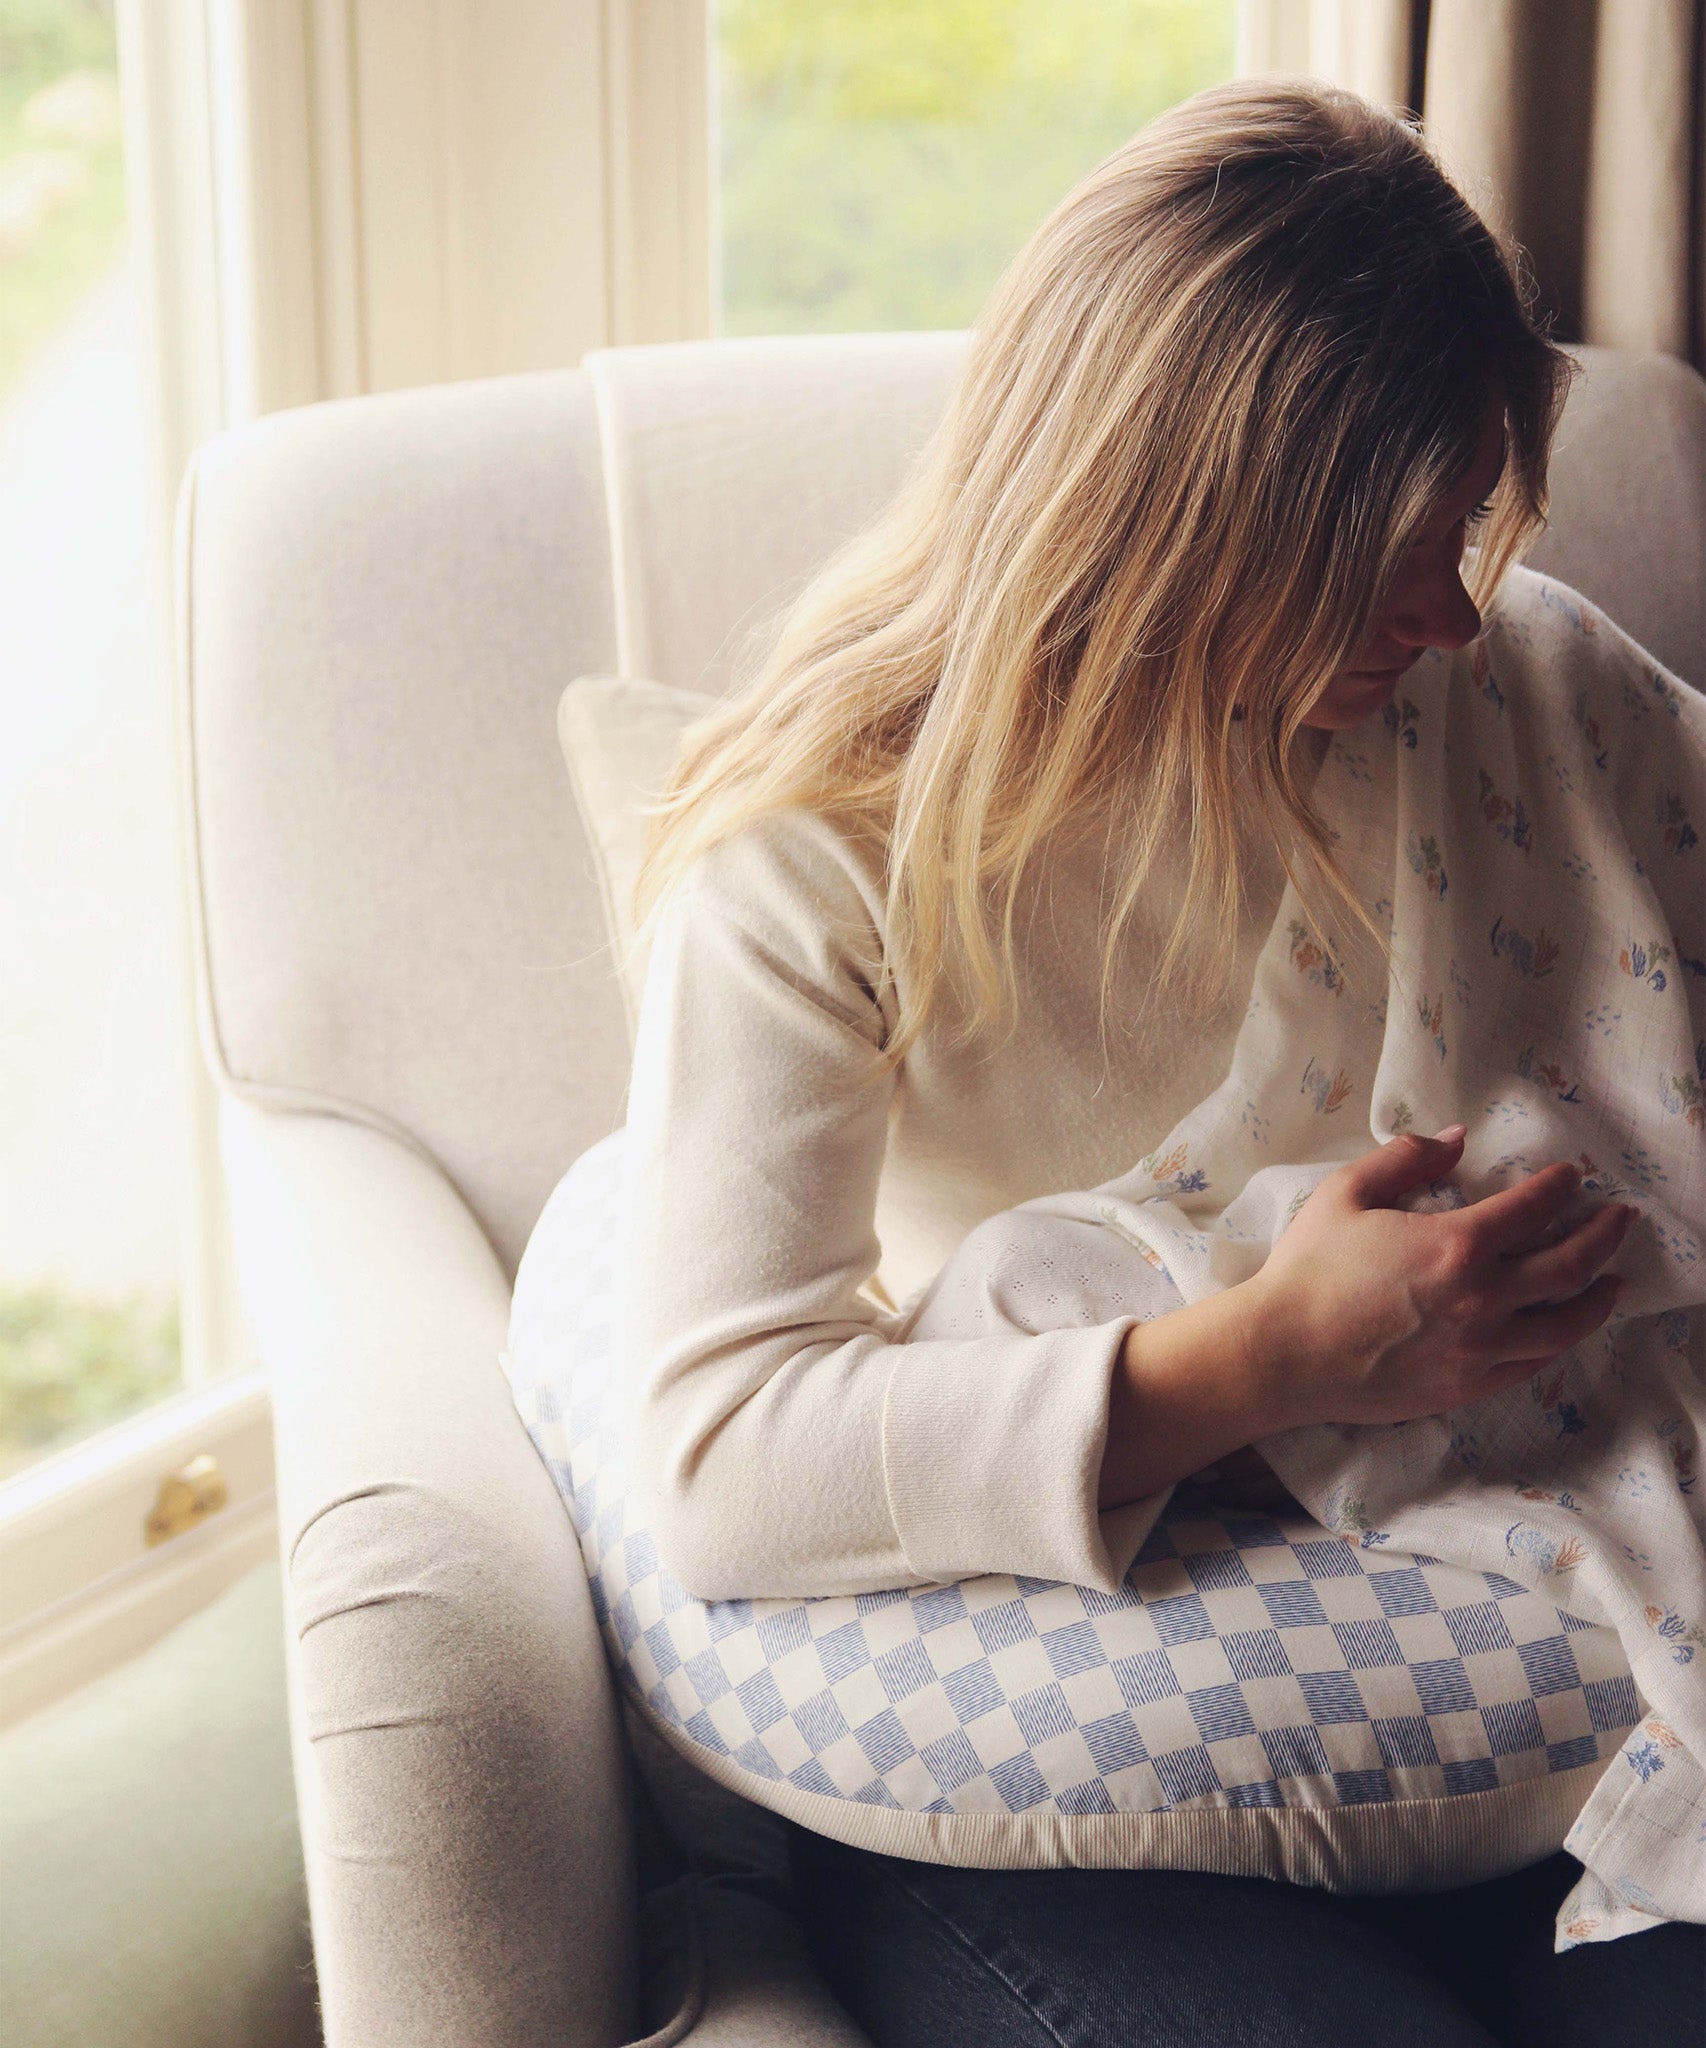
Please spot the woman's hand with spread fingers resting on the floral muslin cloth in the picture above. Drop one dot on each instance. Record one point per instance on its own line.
(1369, 1314)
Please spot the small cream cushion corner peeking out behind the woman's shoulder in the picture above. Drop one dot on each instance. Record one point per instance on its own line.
(620, 738)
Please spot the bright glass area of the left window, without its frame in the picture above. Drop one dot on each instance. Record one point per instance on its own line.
(93, 1058)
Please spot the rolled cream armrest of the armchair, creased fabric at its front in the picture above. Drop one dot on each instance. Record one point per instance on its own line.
(460, 1764)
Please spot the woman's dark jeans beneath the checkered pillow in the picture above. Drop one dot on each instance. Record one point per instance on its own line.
(1170, 1959)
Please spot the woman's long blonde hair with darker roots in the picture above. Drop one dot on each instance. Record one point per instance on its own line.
(1203, 415)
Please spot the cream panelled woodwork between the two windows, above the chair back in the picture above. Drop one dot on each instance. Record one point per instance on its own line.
(427, 189)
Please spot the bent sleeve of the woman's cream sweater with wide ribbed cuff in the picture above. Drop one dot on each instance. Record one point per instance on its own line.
(785, 1445)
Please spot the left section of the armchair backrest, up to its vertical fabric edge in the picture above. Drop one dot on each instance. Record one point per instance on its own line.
(380, 605)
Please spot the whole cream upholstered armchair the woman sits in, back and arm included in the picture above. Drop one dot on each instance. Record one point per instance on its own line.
(409, 1002)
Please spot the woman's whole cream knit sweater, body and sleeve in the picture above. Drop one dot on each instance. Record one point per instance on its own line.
(777, 1164)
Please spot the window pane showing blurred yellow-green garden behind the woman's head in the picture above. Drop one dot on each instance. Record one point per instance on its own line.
(880, 161)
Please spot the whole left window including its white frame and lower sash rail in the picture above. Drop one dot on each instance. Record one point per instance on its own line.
(124, 1357)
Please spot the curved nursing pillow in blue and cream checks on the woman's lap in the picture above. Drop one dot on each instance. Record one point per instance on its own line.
(1259, 1697)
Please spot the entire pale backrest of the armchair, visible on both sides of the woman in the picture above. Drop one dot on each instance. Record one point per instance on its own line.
(382, 601)
